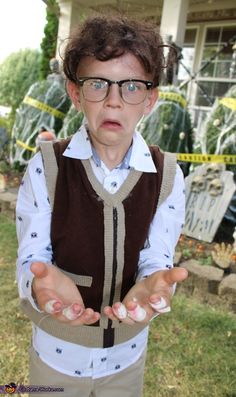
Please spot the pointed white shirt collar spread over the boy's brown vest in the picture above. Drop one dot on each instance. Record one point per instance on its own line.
(138, 156)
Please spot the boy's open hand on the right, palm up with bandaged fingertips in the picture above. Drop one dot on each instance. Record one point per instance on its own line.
(147, 298)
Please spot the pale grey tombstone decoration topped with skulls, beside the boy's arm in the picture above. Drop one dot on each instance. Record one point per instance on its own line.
(209, 189)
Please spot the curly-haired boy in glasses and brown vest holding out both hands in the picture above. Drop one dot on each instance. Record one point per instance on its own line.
(117, 216)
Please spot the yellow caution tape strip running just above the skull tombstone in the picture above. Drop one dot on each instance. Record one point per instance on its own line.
(207, 158)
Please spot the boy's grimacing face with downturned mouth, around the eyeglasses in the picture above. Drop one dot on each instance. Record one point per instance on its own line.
(112, 121)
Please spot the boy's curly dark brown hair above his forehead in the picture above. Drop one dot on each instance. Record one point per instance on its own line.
(106, 38)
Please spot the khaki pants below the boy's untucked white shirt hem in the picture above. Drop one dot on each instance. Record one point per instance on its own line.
(127, 383)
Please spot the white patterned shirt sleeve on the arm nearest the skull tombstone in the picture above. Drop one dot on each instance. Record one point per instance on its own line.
(164, 232)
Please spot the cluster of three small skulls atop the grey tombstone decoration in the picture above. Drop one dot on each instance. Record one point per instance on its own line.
(209, 180)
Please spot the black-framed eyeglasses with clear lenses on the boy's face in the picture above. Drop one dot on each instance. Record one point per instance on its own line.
(132, 91)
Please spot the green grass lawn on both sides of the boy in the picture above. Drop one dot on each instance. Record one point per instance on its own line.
(191, 353)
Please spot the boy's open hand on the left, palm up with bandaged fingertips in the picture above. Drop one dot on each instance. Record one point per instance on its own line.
(58, 295)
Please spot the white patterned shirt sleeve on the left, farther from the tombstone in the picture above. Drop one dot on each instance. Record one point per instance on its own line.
(33, 220)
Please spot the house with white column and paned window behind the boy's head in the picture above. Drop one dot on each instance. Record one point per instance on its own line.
(205, 30)
